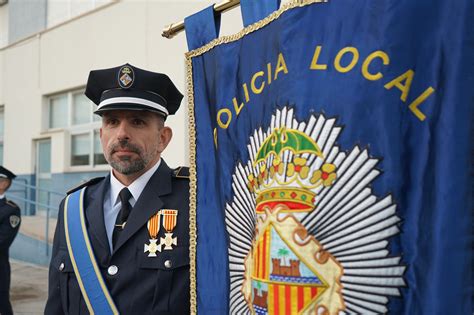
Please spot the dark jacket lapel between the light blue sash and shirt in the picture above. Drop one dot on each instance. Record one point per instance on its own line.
(95, 215)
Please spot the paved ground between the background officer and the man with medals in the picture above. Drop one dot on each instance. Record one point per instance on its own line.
(29, 288)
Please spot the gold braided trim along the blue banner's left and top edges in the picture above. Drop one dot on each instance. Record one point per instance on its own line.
(192, 131)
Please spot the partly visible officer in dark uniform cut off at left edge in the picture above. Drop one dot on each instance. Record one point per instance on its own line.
(9, 224)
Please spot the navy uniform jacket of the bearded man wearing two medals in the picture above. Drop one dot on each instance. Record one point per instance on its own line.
(142, 285)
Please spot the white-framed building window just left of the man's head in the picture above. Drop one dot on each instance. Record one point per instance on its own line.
(74, 112)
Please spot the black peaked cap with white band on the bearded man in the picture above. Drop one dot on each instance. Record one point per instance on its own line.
(129, 87)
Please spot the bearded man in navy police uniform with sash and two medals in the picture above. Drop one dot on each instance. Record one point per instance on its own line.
(137, 217)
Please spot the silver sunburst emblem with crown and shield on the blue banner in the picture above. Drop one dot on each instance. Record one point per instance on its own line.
(307, 235)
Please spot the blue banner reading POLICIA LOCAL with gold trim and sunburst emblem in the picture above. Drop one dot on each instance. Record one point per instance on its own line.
(332, 160)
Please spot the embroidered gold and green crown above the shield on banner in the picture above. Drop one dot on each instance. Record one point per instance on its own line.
(285, 171)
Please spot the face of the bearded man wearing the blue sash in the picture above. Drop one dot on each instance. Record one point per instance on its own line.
(132, 141)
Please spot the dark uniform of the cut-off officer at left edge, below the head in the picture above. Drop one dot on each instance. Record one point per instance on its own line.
(9, 226)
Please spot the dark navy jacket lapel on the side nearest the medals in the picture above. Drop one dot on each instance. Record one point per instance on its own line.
(148, 203)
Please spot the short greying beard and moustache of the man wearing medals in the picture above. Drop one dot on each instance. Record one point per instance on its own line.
(128, 165)
